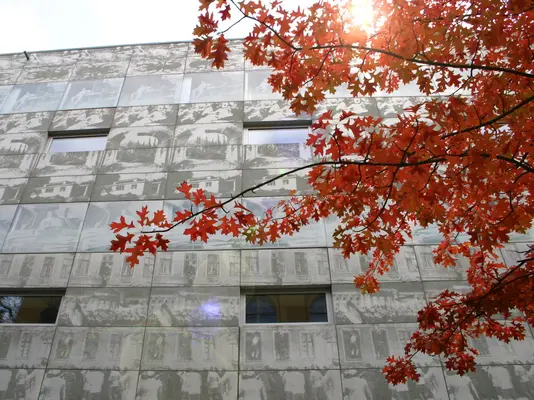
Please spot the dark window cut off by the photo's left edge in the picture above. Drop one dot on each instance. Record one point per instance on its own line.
(29, 309)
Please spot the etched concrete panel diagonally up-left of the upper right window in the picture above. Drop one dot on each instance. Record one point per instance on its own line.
(208, 113)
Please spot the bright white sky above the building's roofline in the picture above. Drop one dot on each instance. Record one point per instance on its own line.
(33, 25)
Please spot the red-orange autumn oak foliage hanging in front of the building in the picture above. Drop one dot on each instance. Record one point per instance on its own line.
(463, 161)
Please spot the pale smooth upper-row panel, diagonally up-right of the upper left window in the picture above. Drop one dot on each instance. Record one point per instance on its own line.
(156, 89)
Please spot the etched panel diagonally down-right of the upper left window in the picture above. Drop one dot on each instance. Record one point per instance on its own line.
(134, 161)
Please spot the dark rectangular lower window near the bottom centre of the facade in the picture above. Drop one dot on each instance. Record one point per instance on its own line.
(284, 308)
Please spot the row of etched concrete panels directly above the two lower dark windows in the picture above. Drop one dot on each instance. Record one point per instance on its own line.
(275, 267)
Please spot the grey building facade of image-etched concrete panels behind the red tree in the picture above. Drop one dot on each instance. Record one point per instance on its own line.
(88, 135)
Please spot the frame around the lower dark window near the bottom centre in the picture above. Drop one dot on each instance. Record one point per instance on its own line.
(326, 290)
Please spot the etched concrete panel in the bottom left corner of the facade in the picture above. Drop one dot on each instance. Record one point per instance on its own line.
(20, 383)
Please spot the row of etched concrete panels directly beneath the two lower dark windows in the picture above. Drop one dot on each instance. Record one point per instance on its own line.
(252, 347)
